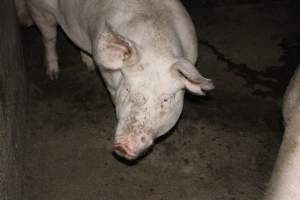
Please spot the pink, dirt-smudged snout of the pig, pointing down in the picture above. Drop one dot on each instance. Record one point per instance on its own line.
(132, 147)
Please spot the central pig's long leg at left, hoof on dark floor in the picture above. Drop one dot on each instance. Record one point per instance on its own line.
(47, 24)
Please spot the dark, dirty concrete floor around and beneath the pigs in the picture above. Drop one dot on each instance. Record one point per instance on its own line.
(224, 146)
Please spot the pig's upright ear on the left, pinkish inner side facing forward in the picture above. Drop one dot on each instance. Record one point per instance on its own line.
(113, 52)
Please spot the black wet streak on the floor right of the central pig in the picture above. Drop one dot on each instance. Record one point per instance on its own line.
(273, 78)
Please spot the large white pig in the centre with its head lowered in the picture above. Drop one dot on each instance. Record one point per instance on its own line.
(145, 51)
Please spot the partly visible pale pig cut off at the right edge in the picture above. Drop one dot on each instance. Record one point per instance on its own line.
(285, 181)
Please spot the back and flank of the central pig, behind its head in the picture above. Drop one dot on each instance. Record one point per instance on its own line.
(83, 20)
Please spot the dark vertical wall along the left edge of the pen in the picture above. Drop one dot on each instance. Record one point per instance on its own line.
(13, 99)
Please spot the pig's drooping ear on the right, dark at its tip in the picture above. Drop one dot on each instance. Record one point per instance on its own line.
(193, 80)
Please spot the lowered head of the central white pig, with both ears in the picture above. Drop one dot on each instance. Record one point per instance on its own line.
(148, 91)
